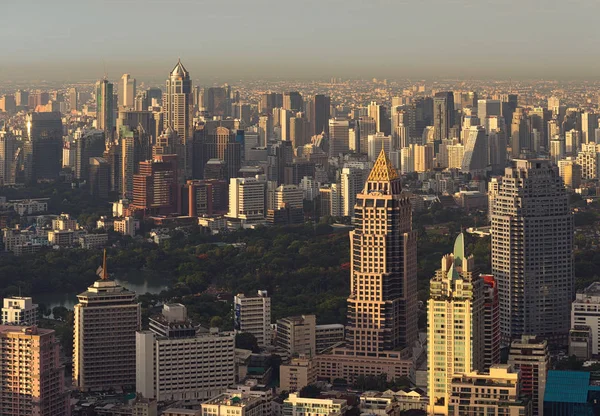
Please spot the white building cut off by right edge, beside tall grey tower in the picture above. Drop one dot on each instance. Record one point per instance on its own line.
(585, 310)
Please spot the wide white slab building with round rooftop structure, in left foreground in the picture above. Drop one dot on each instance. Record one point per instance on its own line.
(175, 361)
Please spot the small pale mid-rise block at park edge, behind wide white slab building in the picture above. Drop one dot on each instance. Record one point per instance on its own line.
(252, 314)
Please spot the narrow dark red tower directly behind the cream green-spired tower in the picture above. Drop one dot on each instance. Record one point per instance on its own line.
(491, 322)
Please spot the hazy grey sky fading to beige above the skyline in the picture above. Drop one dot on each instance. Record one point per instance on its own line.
(74, 39)
